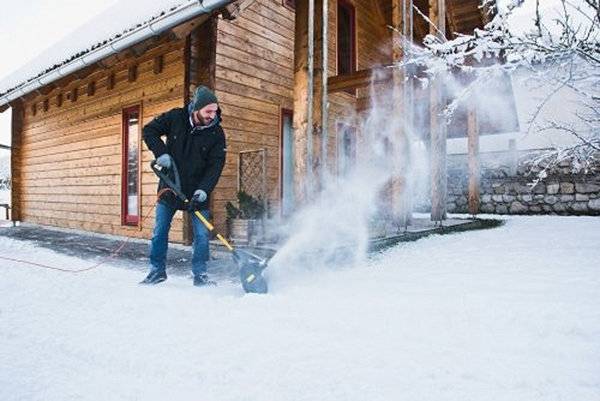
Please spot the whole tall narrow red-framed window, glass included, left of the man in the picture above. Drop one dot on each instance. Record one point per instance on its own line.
(130, 176)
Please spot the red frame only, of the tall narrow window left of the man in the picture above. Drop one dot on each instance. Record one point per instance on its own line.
(127, 218)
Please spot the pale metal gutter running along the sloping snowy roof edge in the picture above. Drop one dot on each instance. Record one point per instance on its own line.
(162, 23)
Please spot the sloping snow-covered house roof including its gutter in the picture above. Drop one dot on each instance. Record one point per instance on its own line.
(118, 27)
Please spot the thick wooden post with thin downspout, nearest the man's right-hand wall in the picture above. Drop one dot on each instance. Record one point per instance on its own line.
(307, 96)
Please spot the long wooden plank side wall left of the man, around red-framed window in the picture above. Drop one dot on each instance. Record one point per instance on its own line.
(70, 152)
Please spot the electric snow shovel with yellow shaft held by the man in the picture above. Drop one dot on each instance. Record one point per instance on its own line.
(251, 266)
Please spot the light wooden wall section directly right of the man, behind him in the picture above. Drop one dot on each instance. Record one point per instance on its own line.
(254, 82)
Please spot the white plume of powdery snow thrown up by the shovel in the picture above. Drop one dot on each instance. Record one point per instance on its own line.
(332, 231)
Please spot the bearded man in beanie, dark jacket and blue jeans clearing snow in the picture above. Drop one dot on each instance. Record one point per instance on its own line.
(195, 142)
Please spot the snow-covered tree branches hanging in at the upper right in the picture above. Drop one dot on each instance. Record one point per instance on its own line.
(559, 52)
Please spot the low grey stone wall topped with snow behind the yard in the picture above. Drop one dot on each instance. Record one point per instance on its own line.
(510, 189)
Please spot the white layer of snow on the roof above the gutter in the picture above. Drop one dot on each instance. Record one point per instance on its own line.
(122, 17)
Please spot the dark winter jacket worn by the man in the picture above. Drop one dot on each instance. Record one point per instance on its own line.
(199, 152)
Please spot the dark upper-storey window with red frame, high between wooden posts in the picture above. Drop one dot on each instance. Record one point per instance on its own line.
(346, 43)
